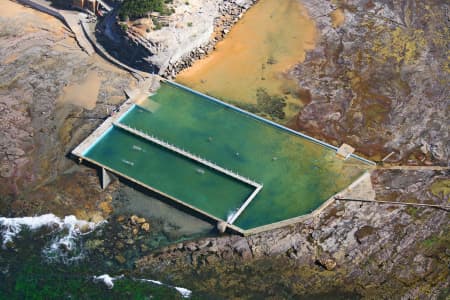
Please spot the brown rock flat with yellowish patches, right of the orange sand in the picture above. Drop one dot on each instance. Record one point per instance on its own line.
(379, 81)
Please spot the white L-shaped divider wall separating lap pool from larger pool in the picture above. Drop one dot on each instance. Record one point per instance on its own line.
(198, 159)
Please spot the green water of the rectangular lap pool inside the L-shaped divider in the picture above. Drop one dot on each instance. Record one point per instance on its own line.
(170, 173)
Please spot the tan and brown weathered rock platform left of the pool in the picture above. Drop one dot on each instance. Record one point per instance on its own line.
(39, 59)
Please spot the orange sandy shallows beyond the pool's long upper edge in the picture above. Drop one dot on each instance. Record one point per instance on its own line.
(271, 38)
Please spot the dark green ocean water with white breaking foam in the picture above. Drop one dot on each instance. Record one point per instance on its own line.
(45, 257)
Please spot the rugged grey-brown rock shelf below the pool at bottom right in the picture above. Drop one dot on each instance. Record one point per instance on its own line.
(361, 249)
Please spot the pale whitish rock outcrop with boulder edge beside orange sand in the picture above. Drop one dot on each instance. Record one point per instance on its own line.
(191, 32)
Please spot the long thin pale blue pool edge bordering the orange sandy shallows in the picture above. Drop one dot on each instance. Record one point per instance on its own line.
(263, 119)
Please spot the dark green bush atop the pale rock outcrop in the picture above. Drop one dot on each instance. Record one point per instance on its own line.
(134, 9)
